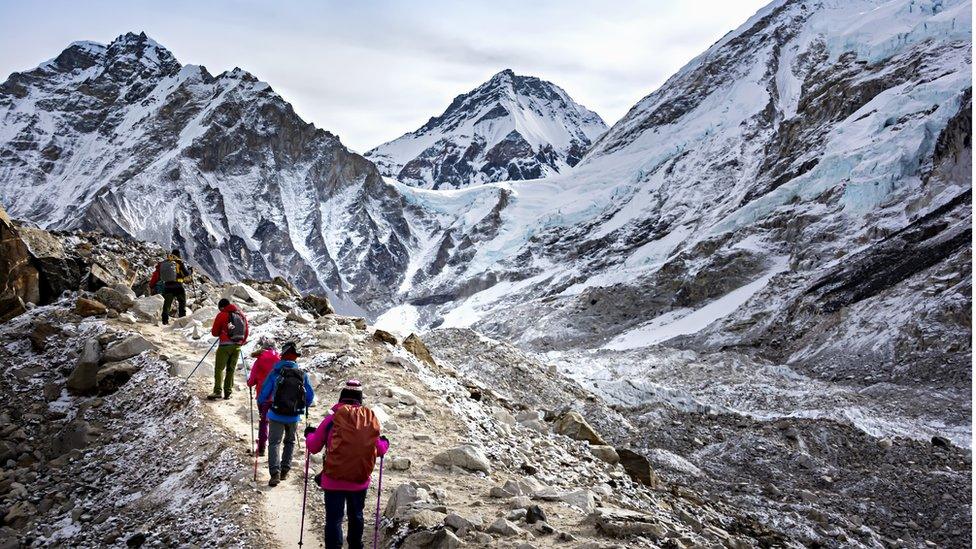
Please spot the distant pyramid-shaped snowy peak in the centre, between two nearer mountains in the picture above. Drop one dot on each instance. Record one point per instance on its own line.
(509, 128)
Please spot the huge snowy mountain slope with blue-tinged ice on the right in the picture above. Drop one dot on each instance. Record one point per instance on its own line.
(802, 189)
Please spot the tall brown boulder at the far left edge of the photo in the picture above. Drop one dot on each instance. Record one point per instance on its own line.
(19, 276)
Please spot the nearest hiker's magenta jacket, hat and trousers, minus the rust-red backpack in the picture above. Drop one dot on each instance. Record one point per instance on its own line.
(340, 494)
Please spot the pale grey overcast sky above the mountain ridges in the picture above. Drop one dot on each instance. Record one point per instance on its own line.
(373, 70)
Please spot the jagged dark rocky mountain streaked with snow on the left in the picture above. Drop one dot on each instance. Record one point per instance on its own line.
(125, 139)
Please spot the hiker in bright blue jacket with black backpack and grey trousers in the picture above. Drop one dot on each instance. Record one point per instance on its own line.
(289, 393)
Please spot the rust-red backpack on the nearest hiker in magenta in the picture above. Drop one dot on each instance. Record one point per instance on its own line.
(352, 450)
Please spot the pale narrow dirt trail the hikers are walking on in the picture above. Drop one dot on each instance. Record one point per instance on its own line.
(281, 505)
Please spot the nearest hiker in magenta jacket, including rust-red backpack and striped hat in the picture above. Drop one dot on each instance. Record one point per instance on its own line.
(351, 438)
